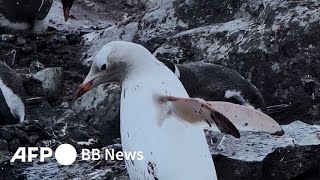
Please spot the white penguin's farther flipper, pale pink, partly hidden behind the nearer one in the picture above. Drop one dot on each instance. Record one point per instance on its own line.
(247, 119)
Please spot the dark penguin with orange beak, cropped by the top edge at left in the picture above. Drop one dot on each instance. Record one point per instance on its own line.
(24, 15)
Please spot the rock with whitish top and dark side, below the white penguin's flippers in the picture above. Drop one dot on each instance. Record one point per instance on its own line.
(262, 156)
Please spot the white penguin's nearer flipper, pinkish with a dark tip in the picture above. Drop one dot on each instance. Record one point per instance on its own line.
(195, 110)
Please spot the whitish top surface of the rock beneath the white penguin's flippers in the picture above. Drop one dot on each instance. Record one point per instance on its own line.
(256, 146)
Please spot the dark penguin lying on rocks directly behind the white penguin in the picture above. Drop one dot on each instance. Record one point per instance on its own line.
(216, 83)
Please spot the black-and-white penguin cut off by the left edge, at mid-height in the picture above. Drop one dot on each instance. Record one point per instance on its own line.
(12, 108)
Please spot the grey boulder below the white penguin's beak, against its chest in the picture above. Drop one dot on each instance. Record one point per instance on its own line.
(97, 109)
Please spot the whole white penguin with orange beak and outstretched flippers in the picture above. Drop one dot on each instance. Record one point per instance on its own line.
(158, 118)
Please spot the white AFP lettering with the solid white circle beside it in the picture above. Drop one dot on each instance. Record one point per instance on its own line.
(65, 154)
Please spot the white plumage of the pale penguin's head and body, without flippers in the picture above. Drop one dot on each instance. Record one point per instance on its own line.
(172, 150)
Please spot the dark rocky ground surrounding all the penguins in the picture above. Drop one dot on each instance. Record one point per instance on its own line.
(275, 44)
